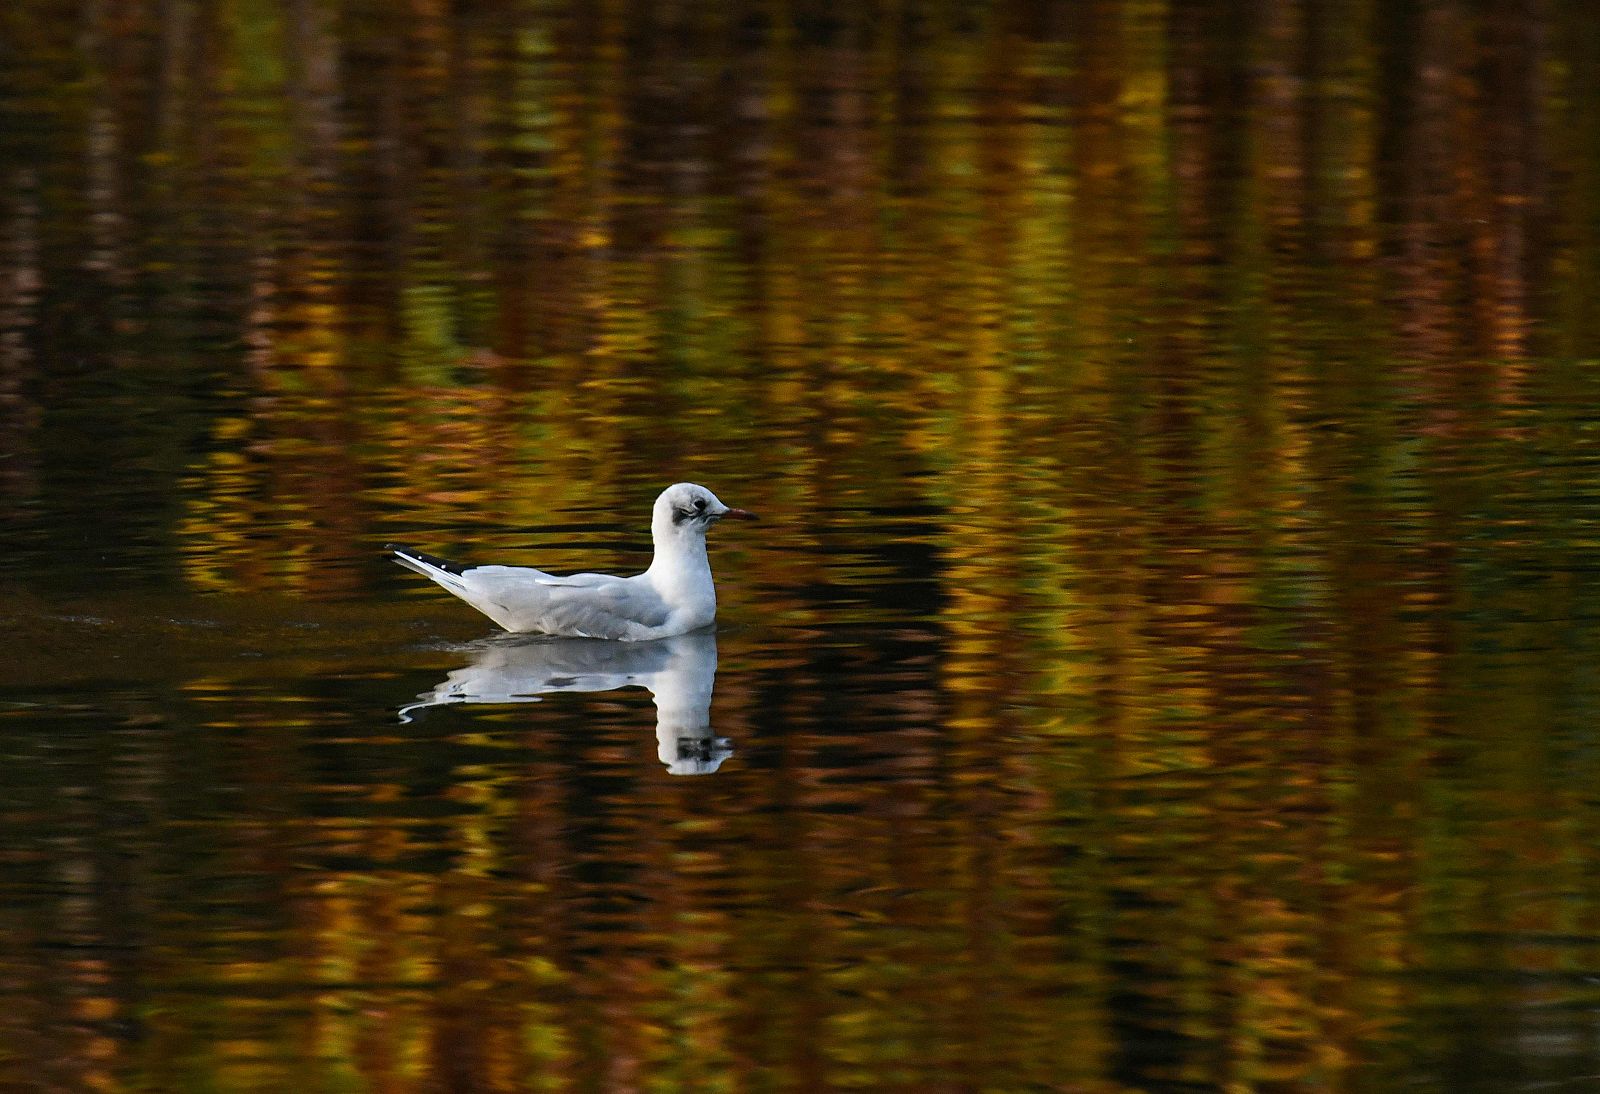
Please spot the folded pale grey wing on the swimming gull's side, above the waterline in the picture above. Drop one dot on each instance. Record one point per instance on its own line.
(585, 605)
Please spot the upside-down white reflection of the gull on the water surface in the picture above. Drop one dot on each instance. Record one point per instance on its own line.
(679, 673)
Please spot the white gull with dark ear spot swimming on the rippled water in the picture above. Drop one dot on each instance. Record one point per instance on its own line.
(674, 597)
